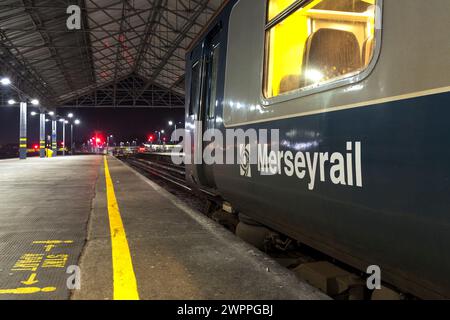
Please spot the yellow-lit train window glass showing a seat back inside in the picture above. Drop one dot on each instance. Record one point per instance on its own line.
(310, 43)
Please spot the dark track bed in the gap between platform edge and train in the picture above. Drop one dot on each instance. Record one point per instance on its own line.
(348, 282)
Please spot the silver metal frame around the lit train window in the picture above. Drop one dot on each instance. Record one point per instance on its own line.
(350, 79)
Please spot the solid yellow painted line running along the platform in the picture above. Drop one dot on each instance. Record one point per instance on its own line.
(125, 285)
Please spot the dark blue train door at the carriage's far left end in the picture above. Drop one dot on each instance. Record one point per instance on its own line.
(206, 70)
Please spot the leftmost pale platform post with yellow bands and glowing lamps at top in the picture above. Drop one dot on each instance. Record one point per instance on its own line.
(24, 99)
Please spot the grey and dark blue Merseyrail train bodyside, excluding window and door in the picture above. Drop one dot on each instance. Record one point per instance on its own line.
(363, 170)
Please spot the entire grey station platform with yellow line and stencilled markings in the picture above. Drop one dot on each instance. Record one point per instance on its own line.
(90, 227)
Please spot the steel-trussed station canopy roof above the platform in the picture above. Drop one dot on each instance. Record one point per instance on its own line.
(128, 53)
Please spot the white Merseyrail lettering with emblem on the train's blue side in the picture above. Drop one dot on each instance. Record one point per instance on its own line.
(340, 168)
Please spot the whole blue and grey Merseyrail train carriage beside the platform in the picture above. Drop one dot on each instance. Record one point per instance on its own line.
(358, 92)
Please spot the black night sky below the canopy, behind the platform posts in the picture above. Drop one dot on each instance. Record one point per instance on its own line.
(125, 124)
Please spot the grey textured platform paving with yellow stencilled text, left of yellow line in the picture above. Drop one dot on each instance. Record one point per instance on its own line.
(44, 210)
